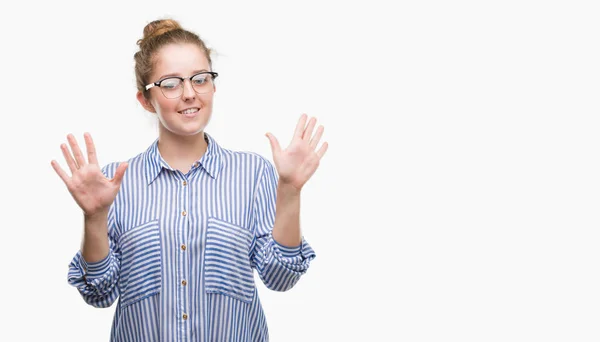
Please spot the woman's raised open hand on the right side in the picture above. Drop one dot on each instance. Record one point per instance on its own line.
(299, 161)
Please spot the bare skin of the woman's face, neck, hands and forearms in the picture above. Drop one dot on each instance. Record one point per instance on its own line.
(181, 142)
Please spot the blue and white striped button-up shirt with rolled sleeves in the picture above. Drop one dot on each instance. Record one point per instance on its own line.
(183, 249)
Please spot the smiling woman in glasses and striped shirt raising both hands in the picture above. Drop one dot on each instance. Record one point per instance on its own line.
(175, 232)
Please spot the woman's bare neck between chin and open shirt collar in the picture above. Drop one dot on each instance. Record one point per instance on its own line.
(180, 152)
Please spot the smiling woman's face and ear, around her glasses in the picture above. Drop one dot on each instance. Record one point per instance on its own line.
(188, 114)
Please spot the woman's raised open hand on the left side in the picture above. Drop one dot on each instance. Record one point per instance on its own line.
(92, 191)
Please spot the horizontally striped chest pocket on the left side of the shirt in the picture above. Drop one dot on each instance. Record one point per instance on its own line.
(140, 263)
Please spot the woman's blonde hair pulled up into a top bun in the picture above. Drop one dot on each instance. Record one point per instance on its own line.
(157, 34)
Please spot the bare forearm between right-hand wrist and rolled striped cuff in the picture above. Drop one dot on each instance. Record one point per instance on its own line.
(286, 230)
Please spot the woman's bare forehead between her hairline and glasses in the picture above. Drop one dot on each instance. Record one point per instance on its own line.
(179, 59)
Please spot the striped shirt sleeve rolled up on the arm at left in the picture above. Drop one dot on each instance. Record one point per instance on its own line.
(97, 281)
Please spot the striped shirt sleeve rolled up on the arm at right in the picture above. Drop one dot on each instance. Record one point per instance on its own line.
(279, 267)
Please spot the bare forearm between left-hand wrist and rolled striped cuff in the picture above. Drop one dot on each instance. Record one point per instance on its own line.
(95, 238)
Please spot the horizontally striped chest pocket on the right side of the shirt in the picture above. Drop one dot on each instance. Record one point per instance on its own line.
(227, 260)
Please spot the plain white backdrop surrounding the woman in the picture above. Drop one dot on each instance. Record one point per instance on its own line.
(459, 197)
